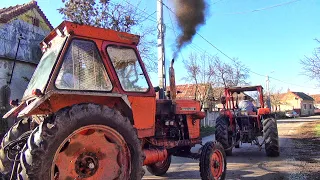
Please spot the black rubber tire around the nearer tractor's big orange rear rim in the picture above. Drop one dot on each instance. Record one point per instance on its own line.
(38, 153)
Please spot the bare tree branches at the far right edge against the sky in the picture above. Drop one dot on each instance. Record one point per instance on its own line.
(311, 64)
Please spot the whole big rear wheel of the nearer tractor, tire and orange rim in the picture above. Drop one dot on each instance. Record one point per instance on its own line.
(86, 141)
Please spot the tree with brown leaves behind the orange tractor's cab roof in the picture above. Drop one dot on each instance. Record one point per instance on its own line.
(117, 16)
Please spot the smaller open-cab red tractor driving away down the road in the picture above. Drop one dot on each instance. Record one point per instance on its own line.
(237, 125)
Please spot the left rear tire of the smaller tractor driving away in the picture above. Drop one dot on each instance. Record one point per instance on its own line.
(222, 134)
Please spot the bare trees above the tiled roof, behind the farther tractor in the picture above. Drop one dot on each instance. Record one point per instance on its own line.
(210, 71)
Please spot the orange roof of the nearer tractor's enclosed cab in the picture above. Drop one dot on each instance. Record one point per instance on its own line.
(92, 32)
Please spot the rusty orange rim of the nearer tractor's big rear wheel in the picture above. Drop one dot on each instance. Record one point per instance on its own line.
(92, 152)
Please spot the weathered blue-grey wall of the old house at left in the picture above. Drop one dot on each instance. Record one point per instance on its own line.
(29, 52)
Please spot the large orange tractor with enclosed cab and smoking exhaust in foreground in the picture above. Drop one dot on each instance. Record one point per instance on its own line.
(90, 112)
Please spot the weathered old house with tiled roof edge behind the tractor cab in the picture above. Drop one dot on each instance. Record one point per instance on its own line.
(22, 28)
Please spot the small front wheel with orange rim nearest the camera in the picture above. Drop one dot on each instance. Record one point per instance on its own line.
(213, 164)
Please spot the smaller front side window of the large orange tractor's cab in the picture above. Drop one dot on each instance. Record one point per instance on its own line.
(128, 69)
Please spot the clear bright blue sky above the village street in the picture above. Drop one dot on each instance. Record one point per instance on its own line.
(269, 36)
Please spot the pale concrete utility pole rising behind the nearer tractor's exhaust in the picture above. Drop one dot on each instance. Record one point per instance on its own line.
(161, 55)
